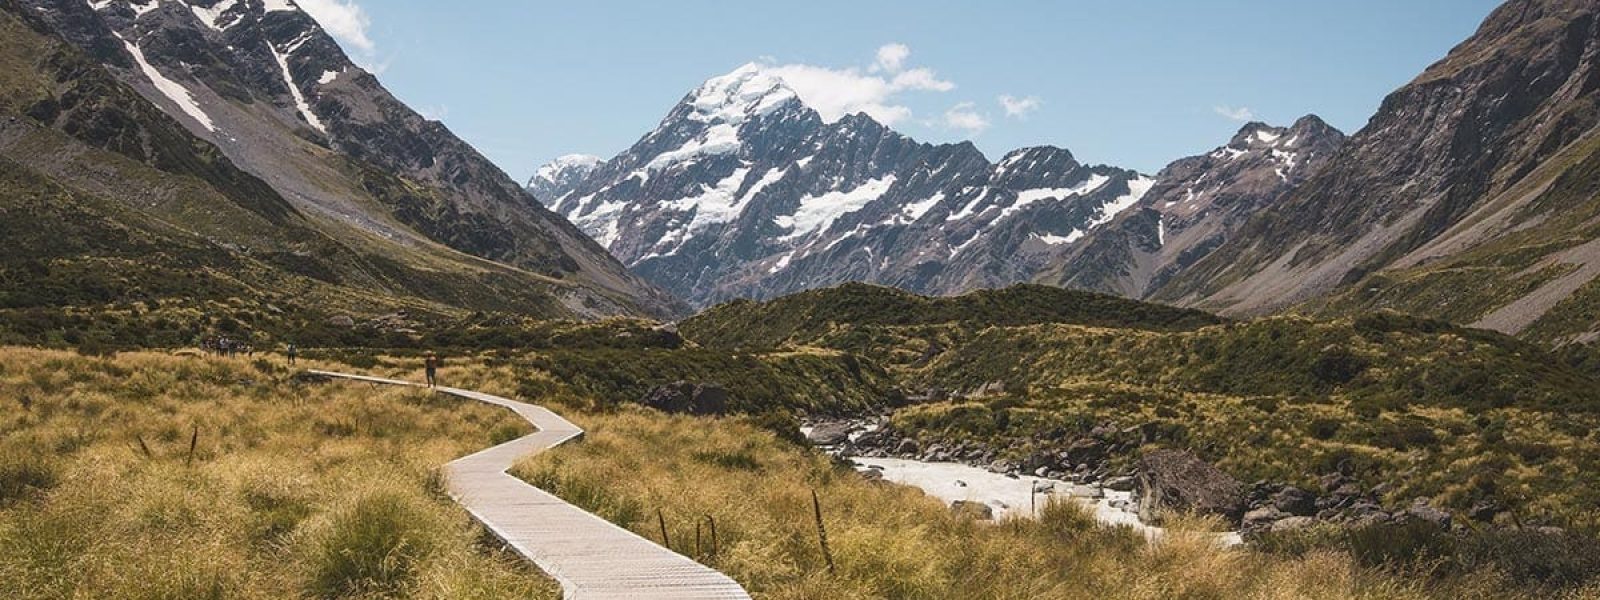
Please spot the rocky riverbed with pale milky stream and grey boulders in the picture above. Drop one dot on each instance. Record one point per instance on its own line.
(1002, 482)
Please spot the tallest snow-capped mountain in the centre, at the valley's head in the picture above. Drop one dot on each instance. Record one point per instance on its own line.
(746, 193)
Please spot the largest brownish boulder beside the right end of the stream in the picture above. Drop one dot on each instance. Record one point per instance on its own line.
(1175, 481)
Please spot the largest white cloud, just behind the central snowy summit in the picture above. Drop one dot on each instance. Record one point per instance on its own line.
(836, 94)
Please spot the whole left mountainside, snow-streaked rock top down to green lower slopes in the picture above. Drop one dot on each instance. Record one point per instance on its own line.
(239, 145)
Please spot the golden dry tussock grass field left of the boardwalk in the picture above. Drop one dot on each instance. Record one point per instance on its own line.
(289, 492)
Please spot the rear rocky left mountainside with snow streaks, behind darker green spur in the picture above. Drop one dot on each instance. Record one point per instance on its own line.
(263, 87)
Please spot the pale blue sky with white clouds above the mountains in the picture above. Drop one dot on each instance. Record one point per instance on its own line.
(1129, 84)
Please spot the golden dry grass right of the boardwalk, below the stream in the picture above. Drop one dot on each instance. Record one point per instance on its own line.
(892, 542)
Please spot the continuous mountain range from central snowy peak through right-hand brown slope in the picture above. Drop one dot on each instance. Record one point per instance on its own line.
(1468, 198)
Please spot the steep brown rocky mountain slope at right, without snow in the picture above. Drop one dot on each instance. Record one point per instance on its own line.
(1470, 196)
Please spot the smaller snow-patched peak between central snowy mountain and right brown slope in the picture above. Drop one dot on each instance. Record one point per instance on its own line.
(1196, 206)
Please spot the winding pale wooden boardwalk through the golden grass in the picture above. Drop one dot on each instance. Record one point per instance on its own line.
(591, 558)
